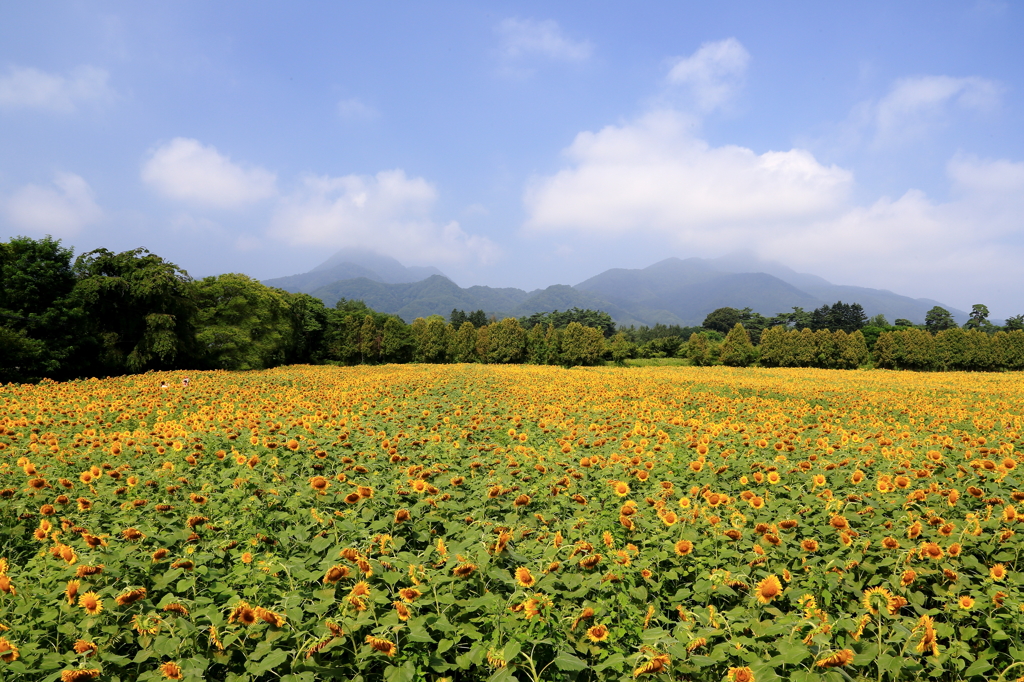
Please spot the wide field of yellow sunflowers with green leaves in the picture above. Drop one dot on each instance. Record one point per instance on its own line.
(481, 523)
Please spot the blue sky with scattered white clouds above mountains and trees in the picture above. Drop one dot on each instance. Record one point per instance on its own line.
(874, 144)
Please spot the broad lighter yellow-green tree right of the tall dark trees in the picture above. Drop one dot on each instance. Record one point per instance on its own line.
(241, 324)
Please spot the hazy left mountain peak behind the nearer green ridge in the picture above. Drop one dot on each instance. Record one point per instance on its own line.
(352, 265)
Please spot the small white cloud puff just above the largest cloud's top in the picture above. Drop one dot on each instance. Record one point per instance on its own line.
(714, 74)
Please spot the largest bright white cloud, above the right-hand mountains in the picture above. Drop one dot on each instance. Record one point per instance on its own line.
(652, 176)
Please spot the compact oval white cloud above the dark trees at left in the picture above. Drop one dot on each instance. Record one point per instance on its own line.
(186, 170)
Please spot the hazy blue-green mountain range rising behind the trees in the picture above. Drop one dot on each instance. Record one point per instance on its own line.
(673, 291)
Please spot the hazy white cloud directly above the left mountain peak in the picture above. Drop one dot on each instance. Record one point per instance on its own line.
(388, 212)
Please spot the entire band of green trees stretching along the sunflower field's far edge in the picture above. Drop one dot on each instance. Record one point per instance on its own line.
(106, 314)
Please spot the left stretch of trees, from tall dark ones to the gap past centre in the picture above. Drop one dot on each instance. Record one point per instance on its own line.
(106, 314)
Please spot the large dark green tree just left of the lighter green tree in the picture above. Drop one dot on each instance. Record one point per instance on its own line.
(141, 309)
